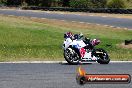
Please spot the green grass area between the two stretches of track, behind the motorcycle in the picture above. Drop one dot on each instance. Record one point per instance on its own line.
(27, 40)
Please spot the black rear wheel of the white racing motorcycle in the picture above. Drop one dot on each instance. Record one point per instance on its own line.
(102, 55)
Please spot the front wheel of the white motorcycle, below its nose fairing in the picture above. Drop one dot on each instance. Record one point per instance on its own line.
(71, 56)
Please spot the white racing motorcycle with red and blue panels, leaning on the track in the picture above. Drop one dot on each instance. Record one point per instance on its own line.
(77, 51)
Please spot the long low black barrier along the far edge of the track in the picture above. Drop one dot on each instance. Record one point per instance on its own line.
(91, 10)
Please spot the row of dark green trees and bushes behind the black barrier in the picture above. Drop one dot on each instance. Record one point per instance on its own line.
(67, 3)
